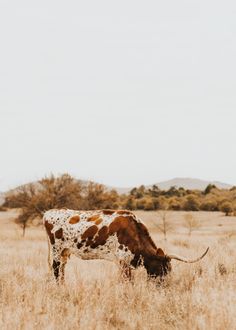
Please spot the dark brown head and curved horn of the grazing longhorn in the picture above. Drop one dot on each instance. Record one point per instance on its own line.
(159, 265)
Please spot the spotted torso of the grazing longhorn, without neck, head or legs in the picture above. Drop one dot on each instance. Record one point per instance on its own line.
(102, 234)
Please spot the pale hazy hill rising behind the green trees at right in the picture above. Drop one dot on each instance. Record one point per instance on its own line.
(190, 183)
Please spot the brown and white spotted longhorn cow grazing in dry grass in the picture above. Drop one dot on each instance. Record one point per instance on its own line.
(115, 235)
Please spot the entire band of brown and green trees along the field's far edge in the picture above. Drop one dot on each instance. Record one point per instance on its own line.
(66, 192)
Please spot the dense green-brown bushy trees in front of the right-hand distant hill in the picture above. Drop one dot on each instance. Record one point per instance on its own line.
(210, 199)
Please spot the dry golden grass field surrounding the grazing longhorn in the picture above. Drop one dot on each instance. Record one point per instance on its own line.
(195, 296)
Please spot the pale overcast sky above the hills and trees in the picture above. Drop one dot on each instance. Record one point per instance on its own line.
(121, 92)
